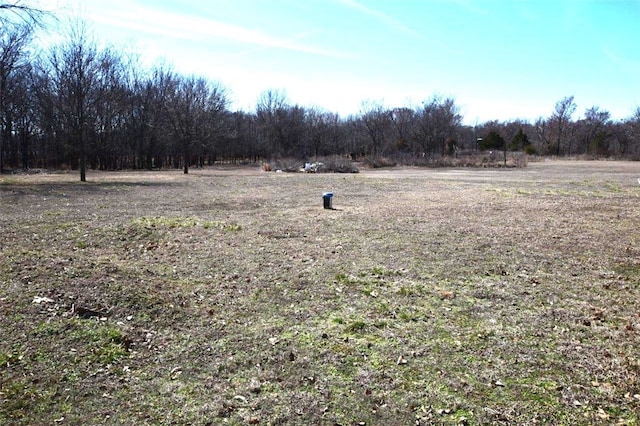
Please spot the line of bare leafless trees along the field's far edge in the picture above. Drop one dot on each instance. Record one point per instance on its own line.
(80, 105)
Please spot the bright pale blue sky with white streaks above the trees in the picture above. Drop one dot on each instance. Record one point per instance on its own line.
(499, 60)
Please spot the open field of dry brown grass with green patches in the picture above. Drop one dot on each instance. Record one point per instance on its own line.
(231, 296)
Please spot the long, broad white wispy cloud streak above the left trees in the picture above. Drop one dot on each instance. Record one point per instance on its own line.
(155, 22)
